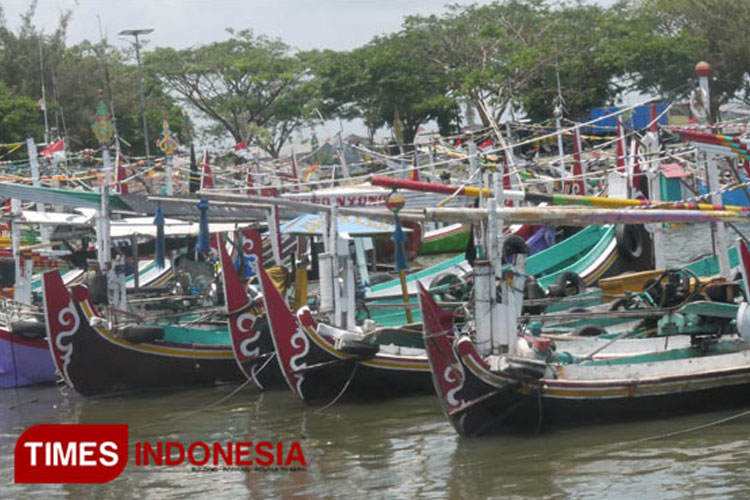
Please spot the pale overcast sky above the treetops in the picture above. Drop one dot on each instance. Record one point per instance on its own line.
(304, 24)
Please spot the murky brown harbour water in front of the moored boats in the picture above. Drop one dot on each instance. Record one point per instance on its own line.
(399, 449)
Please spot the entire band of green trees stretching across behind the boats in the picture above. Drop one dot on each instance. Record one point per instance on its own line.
(512, 52)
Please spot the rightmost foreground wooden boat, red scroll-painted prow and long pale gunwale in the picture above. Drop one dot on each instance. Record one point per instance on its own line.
(533, 387)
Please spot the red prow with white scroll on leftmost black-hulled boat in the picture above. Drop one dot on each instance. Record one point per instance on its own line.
(62, 320)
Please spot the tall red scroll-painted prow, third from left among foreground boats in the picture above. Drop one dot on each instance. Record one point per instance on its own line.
(289, 340)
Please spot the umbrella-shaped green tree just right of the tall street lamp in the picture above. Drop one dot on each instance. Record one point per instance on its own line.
(250, 85)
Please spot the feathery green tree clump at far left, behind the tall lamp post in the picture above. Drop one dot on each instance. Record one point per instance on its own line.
(72, 76)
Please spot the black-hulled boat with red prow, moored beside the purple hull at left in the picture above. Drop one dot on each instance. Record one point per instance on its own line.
(95, 359)
